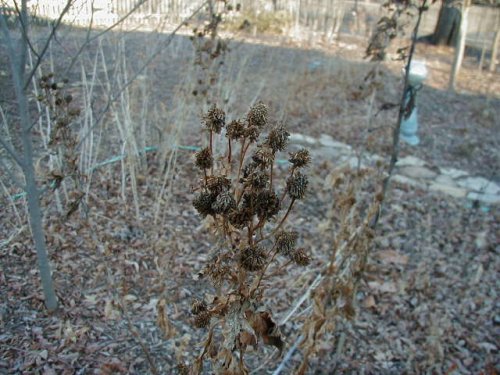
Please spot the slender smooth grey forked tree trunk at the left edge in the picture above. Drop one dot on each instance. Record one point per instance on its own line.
(17, 64)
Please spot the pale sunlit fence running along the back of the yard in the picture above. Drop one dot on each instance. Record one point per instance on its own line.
(329, 17)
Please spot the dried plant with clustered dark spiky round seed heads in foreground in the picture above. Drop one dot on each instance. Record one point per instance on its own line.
(238, 194)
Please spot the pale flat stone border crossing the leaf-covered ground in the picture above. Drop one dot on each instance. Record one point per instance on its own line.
(410, 170)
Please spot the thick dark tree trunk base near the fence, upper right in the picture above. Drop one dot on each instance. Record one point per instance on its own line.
(448, 25)
